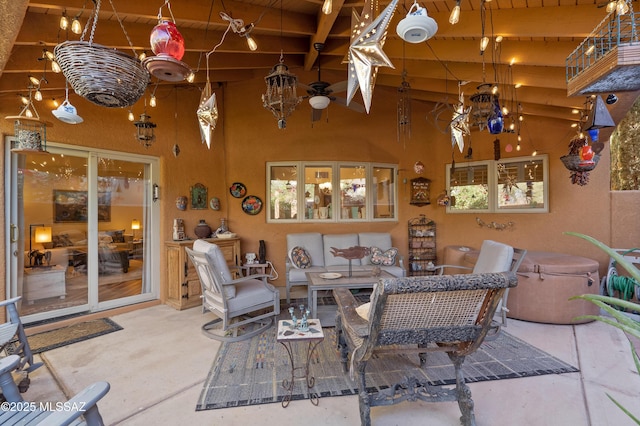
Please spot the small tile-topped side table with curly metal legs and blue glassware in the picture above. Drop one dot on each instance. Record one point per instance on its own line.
(287, 336)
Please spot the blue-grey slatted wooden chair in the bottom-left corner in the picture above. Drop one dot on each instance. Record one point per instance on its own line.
(82, 409)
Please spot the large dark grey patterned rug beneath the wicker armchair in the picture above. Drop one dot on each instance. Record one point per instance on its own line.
(250, 372)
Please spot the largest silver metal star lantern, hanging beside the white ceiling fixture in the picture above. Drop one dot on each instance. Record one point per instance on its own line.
(366, 54)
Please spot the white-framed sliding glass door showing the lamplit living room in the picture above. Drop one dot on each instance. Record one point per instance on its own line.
(81, 227)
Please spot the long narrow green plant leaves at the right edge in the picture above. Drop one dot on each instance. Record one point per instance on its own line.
(618, 319)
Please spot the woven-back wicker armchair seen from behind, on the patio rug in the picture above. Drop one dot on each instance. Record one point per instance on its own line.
(450, 313)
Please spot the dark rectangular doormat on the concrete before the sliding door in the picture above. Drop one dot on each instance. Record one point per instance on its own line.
(64, 336)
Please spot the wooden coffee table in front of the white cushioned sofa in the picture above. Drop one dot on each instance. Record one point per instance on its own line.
(317, 282)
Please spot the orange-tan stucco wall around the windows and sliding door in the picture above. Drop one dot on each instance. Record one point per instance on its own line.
(247, 137)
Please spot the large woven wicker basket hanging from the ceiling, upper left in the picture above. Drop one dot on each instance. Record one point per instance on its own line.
(100, 74)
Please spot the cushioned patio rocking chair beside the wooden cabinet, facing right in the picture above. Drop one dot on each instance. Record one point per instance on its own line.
(246, 305)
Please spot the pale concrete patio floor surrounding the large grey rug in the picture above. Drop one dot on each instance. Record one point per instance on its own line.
(157, 365)
